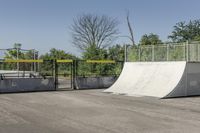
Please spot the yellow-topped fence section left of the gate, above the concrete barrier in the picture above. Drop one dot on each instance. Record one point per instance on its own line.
(44, 69)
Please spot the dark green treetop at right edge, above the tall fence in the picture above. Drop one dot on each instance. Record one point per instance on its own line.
(186, 31)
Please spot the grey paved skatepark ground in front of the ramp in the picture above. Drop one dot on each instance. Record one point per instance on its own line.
(92, 111)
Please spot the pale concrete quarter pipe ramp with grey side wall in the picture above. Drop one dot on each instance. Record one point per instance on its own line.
(158, 79)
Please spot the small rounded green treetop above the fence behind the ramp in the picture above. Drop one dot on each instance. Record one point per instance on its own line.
(151, 39)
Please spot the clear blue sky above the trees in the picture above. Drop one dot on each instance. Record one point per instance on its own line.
(44, 24)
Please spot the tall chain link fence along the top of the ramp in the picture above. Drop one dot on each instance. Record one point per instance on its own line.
(187, 51)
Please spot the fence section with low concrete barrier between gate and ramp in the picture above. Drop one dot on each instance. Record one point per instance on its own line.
(96, 74)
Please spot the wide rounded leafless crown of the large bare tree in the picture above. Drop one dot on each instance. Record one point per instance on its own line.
(93, 31)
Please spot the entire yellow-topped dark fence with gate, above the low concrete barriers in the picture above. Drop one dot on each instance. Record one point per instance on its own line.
(63, 72)
